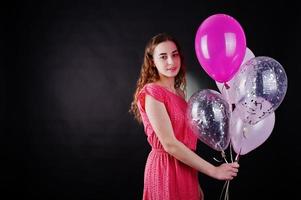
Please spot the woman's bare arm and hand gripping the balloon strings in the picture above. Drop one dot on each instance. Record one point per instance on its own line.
(162, 126)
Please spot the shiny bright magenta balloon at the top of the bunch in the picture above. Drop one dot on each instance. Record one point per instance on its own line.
(220, 46)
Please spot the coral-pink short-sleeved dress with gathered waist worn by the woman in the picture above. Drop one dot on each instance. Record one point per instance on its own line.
(165, 177)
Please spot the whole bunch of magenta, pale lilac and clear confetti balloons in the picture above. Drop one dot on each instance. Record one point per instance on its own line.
(251, 89)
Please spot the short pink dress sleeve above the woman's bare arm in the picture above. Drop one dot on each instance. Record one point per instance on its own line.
(152, 90)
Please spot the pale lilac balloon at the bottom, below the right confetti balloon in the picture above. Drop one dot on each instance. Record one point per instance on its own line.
(245, 137)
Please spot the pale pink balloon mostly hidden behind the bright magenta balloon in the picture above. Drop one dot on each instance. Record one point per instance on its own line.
(228, 90)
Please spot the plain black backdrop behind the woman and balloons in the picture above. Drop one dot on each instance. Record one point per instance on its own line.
(70, 72)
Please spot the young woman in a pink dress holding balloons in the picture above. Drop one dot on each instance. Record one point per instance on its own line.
(172, 167)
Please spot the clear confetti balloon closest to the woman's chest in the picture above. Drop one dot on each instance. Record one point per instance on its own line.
(208, 116)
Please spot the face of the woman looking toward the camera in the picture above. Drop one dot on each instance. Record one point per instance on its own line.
(167, 59)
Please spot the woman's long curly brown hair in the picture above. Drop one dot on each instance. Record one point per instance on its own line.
(149, 73)
